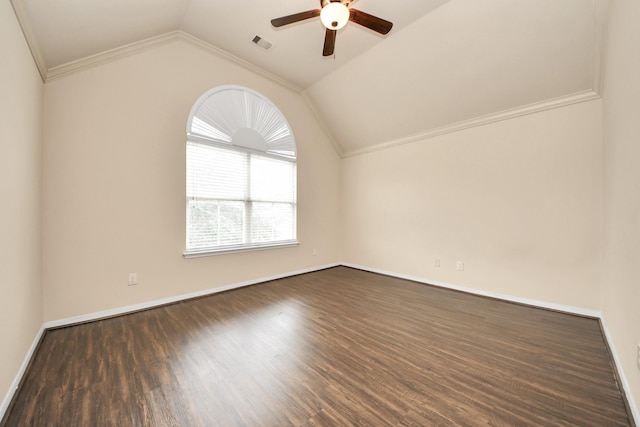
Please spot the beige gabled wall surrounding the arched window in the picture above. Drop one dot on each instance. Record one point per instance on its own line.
(114, 186)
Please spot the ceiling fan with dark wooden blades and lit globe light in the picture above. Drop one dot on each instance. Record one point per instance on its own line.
(334, 15)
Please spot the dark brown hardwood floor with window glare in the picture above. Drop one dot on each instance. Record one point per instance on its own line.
(337, 347)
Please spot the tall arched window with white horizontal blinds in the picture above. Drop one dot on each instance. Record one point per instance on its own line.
(241, 174)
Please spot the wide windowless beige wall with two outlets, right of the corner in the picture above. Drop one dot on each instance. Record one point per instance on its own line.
(518, 201)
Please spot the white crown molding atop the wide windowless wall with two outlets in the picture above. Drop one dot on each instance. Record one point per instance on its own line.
(587, 95)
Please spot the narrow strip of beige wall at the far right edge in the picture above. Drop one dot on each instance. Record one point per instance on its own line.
(621, 284)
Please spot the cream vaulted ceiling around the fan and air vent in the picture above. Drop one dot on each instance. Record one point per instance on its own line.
(446, 64)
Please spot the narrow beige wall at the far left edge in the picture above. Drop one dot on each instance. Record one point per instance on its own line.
(20, 219)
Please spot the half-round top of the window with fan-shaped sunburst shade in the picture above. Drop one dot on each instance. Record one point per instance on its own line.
(238, 116)
